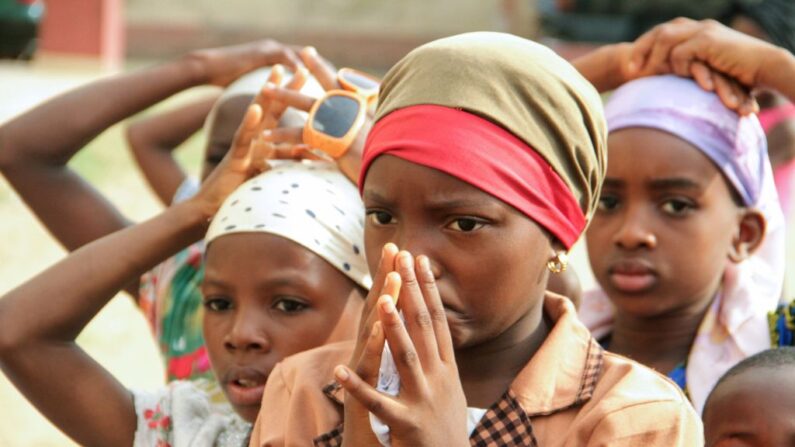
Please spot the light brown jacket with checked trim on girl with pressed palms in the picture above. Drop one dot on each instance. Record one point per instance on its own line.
(571, 393)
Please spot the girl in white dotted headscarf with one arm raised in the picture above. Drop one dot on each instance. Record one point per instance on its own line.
(284, 273)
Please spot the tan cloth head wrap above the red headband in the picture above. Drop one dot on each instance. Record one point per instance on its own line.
(518, 84)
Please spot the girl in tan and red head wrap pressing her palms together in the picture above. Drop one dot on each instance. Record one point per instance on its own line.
(486, 160)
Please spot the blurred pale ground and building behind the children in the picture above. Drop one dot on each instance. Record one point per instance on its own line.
(47, 47)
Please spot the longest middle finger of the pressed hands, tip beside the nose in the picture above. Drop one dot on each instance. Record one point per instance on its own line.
(417, 318)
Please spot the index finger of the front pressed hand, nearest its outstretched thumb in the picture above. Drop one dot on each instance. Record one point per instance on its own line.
(409, 366)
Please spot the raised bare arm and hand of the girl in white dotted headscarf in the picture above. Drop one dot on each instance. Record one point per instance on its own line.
(38, 352)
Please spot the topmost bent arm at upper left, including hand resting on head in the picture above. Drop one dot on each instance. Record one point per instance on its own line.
(36, 146)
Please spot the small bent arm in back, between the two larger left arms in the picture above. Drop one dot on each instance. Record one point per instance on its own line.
(153, 140)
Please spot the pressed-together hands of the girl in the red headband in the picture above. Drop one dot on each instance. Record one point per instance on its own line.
(431, 408)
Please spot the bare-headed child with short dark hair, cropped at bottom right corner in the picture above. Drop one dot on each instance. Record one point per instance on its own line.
(751, 405)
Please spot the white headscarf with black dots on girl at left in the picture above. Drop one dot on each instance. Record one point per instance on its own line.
(308, 202)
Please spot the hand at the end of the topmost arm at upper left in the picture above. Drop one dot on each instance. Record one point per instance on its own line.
(221, 66)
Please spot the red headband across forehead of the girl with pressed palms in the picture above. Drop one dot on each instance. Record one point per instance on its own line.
(482, 154)
